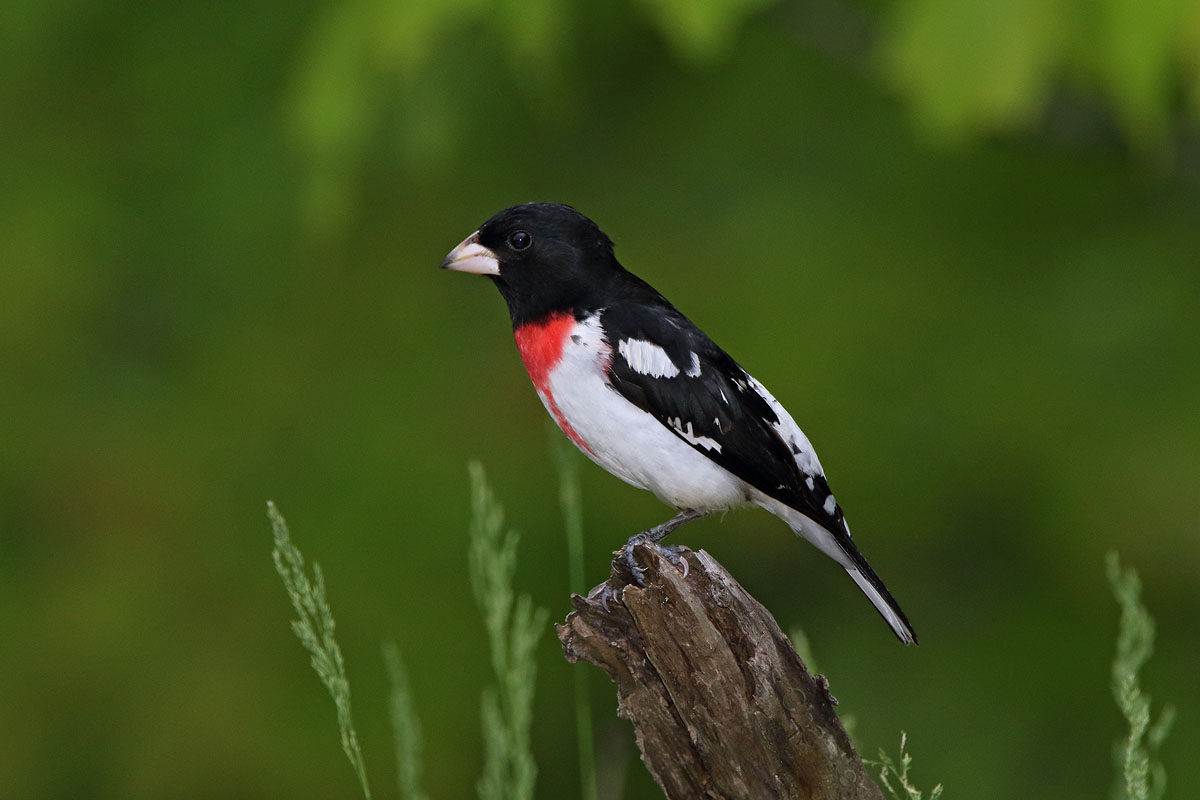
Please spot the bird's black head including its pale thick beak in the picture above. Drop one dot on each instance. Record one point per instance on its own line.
(543, 257)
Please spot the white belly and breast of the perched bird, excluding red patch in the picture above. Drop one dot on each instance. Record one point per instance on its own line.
(628, 442)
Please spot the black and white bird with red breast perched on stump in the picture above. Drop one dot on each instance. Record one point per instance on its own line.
(646, 395)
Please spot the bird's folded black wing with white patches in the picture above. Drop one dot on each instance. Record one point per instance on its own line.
(710, 402)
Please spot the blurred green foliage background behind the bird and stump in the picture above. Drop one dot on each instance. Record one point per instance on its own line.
(959, 240)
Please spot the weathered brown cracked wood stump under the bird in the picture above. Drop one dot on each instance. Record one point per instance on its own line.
(722, 705)
